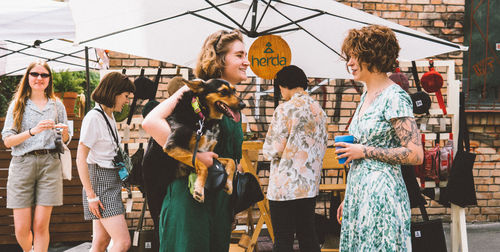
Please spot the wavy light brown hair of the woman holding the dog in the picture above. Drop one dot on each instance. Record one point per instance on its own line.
(211, 60)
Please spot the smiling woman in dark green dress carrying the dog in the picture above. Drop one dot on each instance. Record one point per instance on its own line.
(187, 225)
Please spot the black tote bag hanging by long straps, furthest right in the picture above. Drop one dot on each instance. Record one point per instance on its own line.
(461, 190)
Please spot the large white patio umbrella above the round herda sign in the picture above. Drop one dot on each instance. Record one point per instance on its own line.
(173, 31)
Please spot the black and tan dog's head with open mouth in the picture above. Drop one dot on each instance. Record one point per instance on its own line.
(219, 98)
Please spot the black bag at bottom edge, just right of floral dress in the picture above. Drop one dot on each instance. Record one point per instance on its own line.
(428, 235)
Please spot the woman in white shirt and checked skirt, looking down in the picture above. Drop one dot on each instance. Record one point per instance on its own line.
(102, 201)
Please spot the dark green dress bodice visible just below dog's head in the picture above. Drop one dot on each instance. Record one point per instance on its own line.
(230, 139)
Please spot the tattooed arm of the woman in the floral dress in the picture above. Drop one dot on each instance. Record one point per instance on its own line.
(410, 152)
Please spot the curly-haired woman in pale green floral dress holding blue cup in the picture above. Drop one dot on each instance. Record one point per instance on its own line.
(375, 213)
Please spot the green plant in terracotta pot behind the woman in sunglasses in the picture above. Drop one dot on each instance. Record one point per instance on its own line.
(67, 87)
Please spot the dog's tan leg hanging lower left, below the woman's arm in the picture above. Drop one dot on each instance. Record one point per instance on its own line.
(186, 157)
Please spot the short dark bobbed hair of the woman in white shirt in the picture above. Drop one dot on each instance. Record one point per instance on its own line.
(111, 85)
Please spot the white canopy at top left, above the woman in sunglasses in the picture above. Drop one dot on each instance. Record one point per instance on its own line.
(31, 29)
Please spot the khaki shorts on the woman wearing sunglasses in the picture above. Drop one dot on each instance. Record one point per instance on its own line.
(35, 180)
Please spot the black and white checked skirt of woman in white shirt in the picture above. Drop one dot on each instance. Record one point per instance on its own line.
(107, 185)
